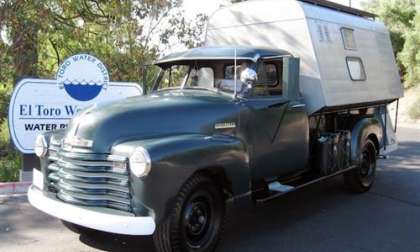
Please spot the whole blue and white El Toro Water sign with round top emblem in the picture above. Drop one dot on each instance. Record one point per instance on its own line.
(39, 105)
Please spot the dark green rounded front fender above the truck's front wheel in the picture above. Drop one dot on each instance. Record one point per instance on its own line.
(175, 159)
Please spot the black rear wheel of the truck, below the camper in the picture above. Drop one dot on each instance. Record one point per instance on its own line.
(361, 179)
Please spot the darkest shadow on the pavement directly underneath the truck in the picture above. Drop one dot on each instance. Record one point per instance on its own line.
(245, 223)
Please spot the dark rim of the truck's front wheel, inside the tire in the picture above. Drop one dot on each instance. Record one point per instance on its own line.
(198, 219)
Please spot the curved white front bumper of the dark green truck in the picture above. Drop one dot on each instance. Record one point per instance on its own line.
(118, 224)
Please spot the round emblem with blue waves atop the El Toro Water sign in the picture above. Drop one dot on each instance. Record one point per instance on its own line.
(83, 76)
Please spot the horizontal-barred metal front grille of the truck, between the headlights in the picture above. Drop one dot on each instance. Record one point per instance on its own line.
(87, 182)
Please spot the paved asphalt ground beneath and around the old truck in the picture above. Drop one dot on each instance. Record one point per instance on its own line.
(323, 217)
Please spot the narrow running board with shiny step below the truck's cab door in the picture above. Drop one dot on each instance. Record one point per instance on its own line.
(280, 189)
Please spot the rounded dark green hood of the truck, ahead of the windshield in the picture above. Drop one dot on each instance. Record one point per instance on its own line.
(161, 114)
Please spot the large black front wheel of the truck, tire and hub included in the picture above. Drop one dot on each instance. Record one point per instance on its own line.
(196, 221)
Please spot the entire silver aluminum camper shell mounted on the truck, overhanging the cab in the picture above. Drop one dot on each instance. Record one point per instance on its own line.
(330, 43)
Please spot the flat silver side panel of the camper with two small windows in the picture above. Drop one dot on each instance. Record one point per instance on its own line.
(343, 44)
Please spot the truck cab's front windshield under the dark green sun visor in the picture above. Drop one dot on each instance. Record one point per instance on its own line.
(217, 76)
